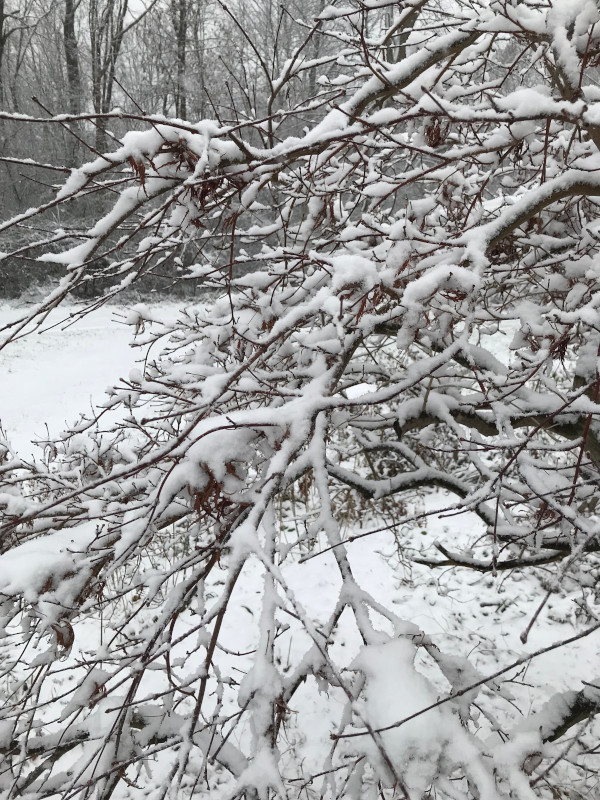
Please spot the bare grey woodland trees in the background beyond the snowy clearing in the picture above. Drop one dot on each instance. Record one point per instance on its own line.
(189, 59)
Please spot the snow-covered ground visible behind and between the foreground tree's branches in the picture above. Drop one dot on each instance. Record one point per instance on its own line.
(461, 613)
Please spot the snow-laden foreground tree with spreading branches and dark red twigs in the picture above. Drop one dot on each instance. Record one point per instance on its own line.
(160, 563)
